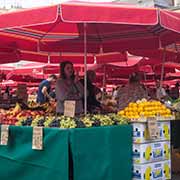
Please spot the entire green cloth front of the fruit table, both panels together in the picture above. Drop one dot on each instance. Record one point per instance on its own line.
(102, 153)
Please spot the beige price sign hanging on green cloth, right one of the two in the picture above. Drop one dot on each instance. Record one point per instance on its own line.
(37, 138)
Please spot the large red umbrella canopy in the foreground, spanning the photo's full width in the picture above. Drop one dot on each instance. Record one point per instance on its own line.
(111, 27)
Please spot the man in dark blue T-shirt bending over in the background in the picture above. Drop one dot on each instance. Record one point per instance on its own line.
(45, 89)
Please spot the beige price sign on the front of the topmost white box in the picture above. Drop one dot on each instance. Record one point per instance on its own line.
(153, 128)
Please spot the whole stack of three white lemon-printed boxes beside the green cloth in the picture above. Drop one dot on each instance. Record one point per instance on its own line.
(151, 157)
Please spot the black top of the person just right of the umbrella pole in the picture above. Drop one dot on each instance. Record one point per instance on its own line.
(91, 98)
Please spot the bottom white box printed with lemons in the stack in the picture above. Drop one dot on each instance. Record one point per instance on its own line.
(152, 171)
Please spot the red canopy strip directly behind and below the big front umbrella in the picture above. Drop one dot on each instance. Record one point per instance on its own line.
(10, 56)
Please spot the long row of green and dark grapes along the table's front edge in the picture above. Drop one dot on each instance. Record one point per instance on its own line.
(26, 119)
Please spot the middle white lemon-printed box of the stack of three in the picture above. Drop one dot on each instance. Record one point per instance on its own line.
(151, 152)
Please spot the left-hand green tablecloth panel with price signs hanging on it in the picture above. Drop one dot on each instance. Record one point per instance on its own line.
(19, 162)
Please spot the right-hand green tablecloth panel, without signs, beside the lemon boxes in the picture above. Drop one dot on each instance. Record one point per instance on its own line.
(102, 153)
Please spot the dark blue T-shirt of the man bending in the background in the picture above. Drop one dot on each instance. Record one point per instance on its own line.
(40, 96)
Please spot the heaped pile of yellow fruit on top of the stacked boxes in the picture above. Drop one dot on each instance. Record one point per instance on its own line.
(144, 108)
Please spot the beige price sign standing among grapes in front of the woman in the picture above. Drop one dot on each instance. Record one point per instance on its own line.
(69, 108)
